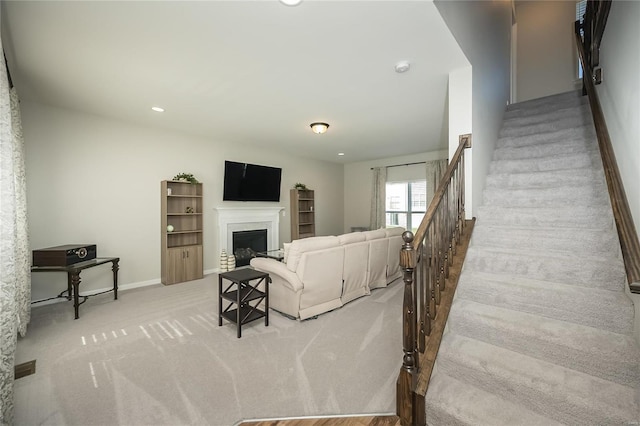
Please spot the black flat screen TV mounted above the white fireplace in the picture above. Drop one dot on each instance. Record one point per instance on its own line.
(251, 182)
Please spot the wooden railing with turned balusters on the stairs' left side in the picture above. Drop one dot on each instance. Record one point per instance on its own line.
(425, 259)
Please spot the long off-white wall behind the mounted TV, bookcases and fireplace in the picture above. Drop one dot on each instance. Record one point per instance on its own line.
(95, 180)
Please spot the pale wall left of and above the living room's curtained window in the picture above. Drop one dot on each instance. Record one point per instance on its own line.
(358, 182)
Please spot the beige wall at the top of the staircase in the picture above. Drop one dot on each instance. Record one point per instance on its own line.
(547, 58)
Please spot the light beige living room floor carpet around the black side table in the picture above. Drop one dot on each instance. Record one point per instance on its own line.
(157, 356)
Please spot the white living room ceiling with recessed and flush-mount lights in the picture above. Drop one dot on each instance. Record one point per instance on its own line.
(251, 72)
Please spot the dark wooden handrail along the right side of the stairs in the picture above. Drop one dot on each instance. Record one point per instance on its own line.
(588, 50)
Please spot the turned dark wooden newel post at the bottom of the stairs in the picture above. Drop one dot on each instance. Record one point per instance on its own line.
(408, 373)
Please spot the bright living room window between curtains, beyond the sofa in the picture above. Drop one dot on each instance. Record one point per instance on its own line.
(406, 203)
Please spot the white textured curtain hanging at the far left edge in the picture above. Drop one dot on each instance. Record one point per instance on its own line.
(15, 278)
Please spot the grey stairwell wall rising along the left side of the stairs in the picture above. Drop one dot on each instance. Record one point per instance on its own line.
(483, 31)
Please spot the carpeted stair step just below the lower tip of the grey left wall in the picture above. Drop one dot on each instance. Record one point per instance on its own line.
(600, 242)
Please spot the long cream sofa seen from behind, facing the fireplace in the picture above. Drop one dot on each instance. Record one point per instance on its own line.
(319, 274)
